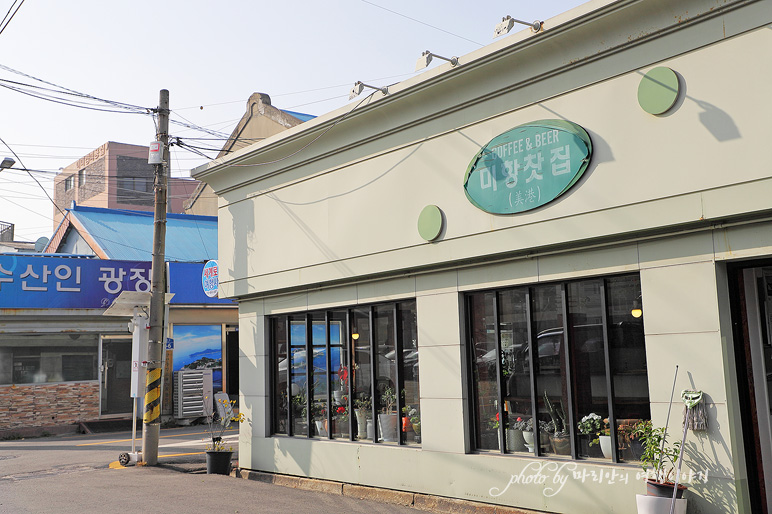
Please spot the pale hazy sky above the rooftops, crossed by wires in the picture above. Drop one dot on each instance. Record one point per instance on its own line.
(211, 56)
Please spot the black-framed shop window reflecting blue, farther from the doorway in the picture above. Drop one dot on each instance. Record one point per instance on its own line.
(363, 367)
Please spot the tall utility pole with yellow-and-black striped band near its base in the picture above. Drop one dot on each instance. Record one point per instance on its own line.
(152, 425)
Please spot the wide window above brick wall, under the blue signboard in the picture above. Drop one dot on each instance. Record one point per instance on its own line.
(28, 359)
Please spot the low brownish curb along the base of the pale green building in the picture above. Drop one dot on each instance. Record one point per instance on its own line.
(418, 501)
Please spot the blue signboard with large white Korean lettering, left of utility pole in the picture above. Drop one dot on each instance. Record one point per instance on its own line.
(48, 282)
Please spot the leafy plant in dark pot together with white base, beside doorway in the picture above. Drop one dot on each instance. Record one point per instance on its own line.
(658, 456)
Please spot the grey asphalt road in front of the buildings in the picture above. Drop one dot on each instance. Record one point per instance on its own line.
(81, 474)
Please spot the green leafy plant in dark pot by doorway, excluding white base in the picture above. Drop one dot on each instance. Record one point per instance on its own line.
(660, 456)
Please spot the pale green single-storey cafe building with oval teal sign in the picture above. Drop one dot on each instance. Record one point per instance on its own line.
(539, 233)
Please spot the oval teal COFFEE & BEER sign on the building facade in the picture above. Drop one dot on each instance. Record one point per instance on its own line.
(528, 166)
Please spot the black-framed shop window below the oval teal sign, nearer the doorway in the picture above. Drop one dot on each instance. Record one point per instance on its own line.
(586, 386)
